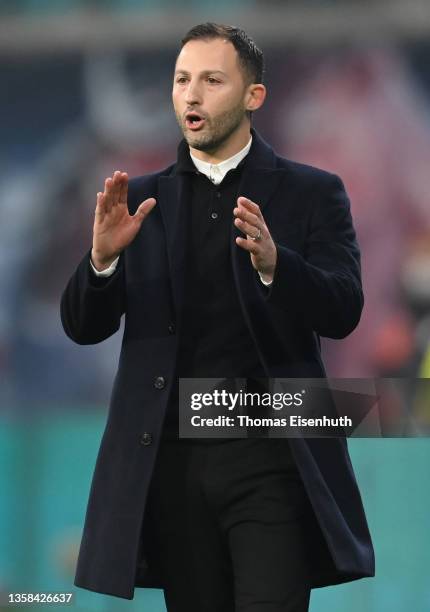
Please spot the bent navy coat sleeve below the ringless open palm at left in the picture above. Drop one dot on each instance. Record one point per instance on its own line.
(91, 306)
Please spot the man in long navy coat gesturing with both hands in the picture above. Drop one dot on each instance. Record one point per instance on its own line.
(231, 262)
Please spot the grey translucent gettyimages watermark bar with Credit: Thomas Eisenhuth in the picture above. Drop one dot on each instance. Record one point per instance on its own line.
(243, 407)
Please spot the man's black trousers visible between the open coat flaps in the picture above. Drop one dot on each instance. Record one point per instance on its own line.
(228, 520)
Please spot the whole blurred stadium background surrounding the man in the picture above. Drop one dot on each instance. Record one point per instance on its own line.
(85, 90)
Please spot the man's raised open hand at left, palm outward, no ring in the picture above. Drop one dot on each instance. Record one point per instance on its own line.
(114, 228)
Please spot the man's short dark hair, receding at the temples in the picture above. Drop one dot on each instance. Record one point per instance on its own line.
(250, 57)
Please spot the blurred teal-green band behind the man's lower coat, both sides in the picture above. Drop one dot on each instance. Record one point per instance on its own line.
(45, 475)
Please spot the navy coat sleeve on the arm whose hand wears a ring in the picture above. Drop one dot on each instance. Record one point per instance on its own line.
(323, 286)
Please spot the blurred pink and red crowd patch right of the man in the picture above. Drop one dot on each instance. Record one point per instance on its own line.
(362, 115)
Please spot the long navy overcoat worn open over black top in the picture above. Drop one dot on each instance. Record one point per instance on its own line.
(316, 292)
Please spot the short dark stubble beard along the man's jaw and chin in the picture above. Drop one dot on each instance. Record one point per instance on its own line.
(216, 129)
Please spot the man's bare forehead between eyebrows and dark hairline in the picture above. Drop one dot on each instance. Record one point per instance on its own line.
(202, 55)
